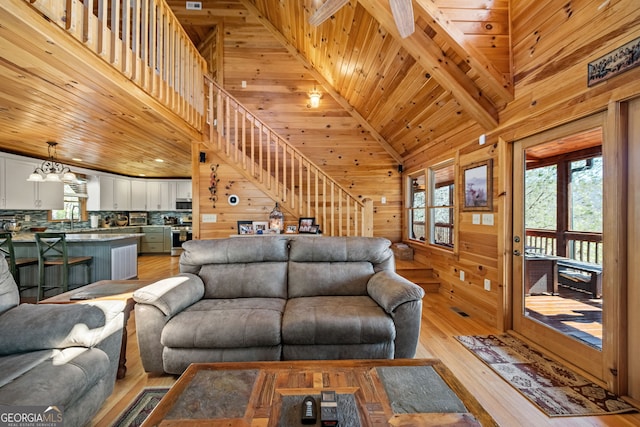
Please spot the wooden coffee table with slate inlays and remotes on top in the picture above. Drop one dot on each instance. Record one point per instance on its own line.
(403, 392)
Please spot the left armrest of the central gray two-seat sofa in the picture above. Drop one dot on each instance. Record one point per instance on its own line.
(172, 295)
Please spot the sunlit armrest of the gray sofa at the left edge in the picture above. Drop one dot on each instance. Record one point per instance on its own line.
(32, 327)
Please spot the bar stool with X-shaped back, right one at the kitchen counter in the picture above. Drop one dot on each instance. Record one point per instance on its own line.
(53, 251)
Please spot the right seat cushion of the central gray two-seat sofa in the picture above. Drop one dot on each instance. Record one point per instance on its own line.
(335, 320)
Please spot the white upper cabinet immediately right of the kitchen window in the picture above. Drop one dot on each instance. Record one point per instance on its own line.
(108, 193)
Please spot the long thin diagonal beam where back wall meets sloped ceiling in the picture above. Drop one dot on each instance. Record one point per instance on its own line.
(253, 10)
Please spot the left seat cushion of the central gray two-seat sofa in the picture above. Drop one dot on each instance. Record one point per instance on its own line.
(226, 323)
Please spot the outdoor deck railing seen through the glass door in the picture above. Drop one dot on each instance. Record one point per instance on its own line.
(581, 246)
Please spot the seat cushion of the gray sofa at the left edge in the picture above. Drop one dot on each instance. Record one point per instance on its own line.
(60, 379)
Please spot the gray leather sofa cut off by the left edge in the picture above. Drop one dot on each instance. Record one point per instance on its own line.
(62, 355)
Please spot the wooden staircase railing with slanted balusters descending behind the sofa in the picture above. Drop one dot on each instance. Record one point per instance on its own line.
(280, 170)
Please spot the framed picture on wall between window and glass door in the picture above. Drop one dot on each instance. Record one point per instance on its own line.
(477, 186)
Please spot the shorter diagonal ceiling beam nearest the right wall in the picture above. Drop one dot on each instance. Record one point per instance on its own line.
(472, 56)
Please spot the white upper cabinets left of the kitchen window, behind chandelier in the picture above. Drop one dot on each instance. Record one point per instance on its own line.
(22, 194)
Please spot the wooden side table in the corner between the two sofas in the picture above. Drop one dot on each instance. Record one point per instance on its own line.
(106, 290)
